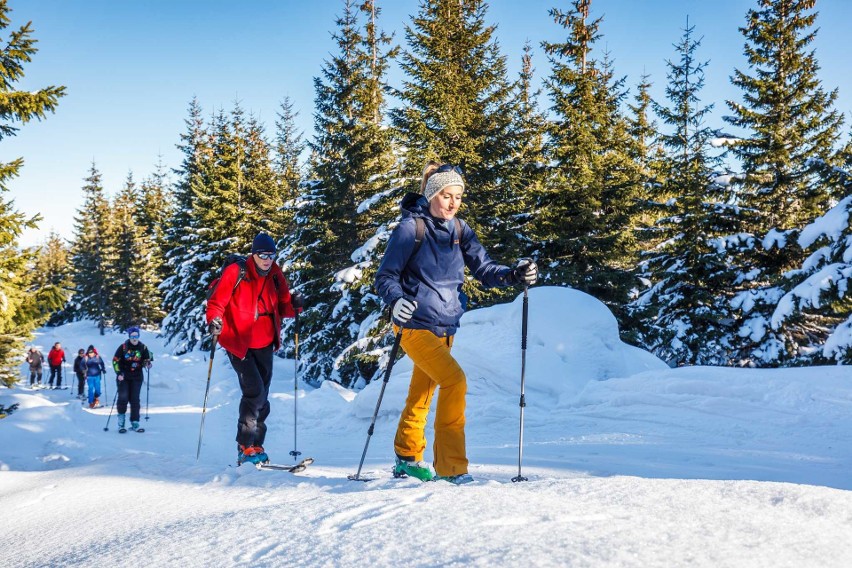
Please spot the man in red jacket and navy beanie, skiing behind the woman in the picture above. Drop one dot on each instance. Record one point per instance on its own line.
(245, 311)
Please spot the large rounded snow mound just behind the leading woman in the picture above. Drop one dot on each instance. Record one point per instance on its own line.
(572, 339)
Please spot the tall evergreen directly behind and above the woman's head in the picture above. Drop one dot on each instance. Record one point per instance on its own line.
(458, 106)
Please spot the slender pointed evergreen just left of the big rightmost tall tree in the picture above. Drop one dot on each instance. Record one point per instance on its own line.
(679, 312)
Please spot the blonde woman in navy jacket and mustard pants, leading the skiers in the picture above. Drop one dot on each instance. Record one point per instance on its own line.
(423, 290)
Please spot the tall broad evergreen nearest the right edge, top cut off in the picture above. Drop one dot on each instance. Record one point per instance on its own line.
(791, 131)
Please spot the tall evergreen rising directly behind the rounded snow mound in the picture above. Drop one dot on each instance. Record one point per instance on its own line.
(587, 206)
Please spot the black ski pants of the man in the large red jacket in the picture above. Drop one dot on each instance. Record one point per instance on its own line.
(255, 374)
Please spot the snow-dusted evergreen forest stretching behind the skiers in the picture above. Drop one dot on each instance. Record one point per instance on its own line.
(613, 193)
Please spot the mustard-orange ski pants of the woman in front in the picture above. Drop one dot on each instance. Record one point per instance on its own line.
(434, 367)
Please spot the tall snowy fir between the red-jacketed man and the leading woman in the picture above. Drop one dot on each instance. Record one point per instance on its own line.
(352, 167)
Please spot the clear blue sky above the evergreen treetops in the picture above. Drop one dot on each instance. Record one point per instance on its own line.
(132, 66)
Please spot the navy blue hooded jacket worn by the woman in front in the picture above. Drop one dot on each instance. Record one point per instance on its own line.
(434, 277)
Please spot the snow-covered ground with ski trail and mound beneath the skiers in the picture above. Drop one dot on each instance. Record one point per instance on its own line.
(629, 463)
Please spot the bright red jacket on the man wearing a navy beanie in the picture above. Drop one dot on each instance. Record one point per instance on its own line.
(251, 313)
